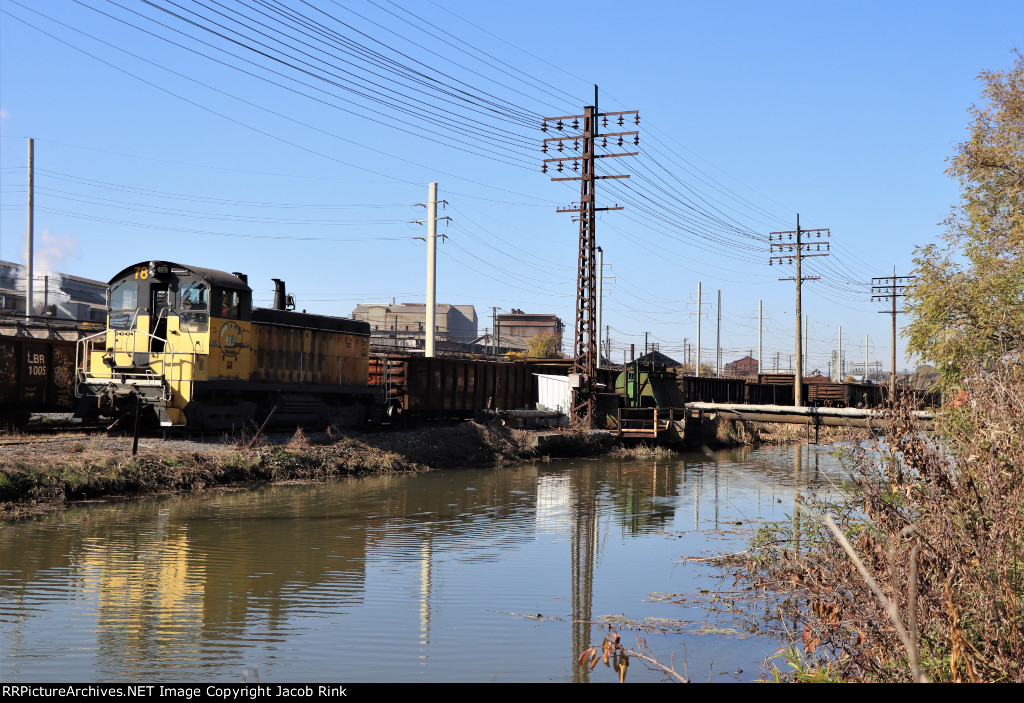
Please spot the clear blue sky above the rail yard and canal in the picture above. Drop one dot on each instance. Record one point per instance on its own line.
(751, 113)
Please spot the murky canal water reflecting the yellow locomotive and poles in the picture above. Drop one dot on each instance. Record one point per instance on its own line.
(492, 576)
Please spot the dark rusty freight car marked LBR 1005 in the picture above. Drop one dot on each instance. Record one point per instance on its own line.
(37, 370)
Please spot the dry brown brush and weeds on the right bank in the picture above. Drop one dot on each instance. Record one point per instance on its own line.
(919, 576)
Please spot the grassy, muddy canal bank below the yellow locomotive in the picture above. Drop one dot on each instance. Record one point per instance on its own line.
(39, 475)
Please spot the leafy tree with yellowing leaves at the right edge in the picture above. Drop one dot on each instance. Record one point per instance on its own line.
(968, 301)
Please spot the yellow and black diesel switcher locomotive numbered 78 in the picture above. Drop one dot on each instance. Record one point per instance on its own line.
(185, 347)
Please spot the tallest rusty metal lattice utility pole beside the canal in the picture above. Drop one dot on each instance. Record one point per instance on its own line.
(582, 146)
